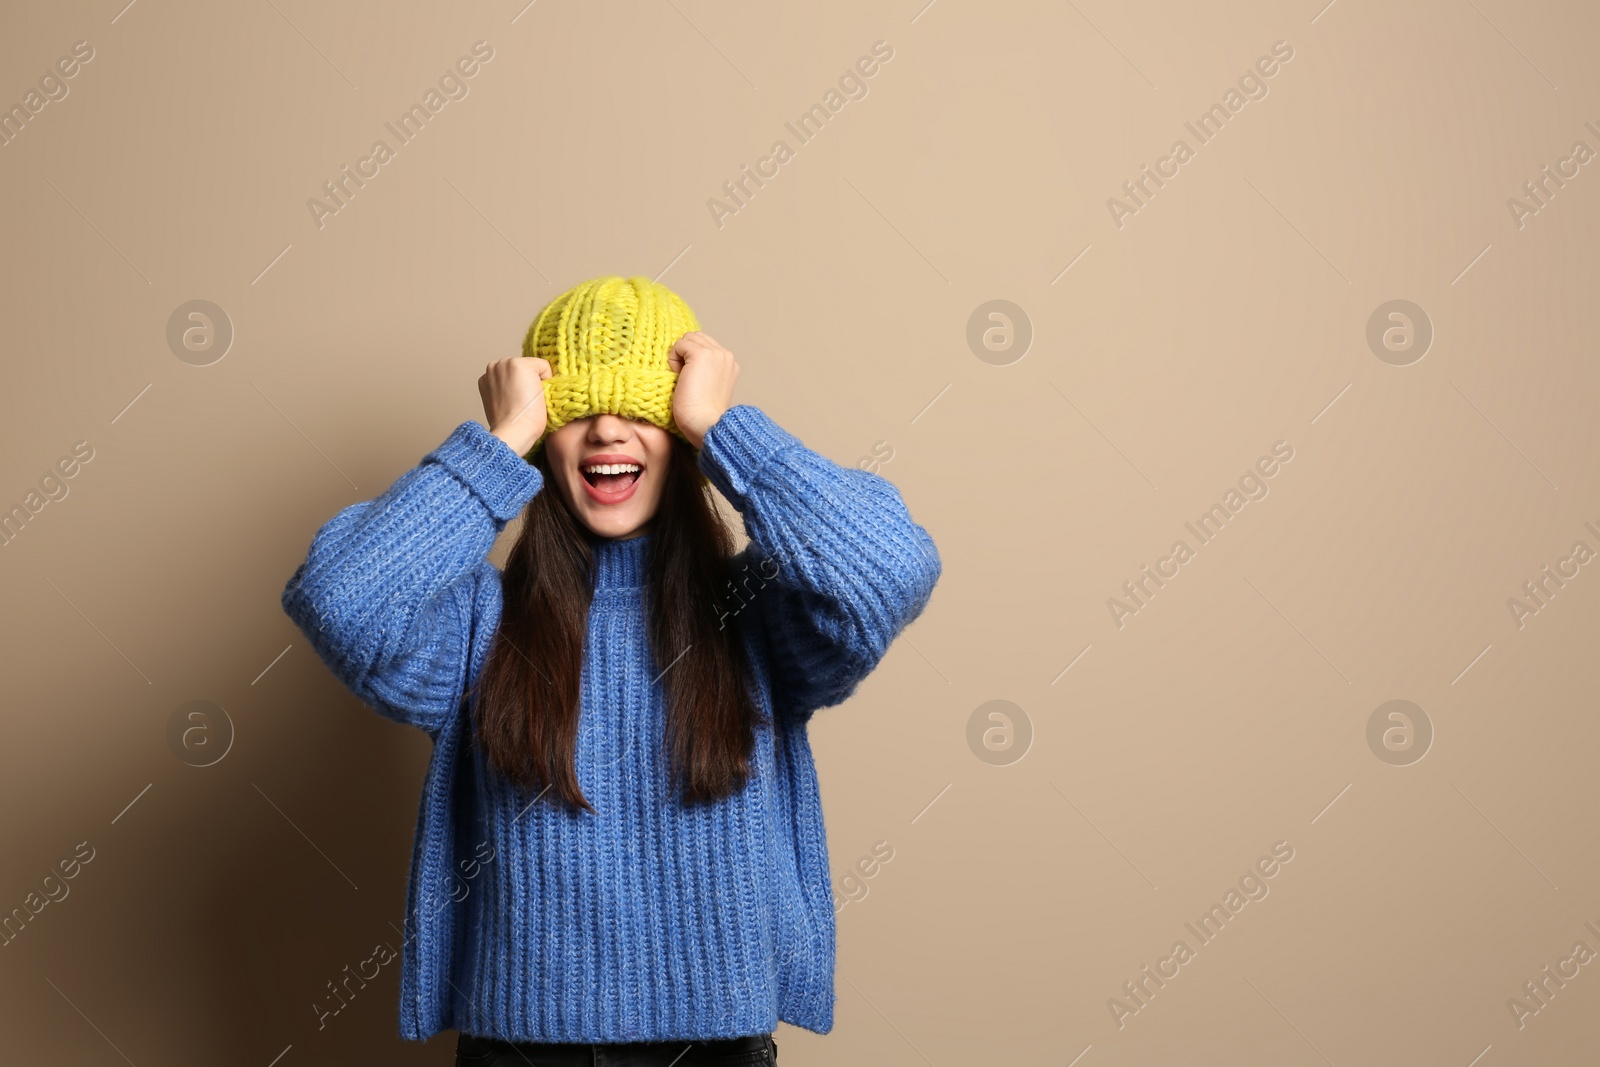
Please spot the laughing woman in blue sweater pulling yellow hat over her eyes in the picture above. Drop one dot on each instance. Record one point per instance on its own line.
(620, 842)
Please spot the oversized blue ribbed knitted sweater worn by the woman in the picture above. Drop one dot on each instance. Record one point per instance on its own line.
(644, 921)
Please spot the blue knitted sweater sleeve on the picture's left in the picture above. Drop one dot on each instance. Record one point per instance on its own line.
(393, 588)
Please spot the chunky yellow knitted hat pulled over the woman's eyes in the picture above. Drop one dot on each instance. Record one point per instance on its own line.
(607, 343)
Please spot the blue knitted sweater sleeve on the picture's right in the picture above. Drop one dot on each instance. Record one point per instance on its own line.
(836, 567)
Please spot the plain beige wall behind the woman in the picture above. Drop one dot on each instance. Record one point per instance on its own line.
(1226, 316)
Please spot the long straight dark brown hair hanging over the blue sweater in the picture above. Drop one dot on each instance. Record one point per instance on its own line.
(529, 690)
